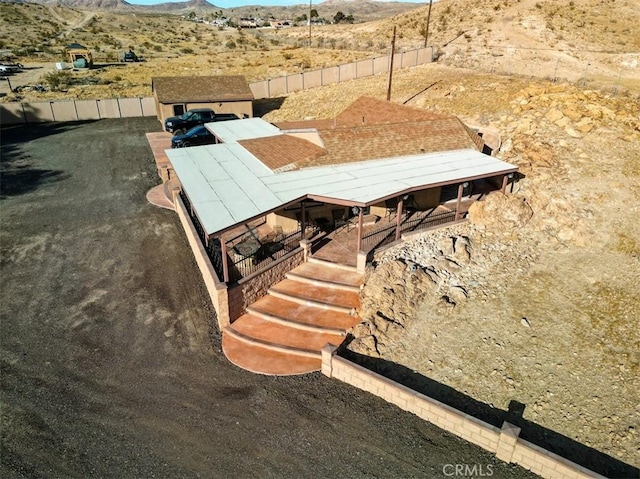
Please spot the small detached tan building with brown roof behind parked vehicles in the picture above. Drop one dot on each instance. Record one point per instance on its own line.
(223, 94)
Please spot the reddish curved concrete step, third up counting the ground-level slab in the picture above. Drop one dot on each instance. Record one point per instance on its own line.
(300, 316)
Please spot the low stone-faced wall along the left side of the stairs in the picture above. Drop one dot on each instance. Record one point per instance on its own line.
(254, 287)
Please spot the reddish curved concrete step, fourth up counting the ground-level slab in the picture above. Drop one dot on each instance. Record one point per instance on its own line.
(315, 295)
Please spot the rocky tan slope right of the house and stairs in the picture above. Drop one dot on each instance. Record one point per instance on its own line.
(535, 299)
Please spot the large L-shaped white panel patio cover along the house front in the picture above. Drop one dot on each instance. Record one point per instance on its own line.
(227, 185)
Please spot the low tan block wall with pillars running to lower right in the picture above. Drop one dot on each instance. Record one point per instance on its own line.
(503, 442)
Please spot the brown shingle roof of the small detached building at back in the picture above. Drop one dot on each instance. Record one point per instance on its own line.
(201, 89)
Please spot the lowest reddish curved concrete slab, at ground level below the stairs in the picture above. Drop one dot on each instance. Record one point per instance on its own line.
(257, 359)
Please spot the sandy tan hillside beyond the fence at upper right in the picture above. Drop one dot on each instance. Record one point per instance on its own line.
(538, 38)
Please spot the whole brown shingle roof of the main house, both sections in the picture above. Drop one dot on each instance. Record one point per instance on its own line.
(389, 130)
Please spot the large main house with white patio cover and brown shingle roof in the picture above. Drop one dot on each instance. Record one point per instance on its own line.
(266, 197)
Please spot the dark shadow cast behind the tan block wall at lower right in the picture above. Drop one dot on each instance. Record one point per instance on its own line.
(552, 441)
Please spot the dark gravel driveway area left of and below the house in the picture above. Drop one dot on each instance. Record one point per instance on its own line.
(111, 361)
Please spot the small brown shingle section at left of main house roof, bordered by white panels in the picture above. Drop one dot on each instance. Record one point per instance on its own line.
(283, 150)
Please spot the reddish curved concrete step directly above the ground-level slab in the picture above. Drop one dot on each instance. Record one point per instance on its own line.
(281, 337)
